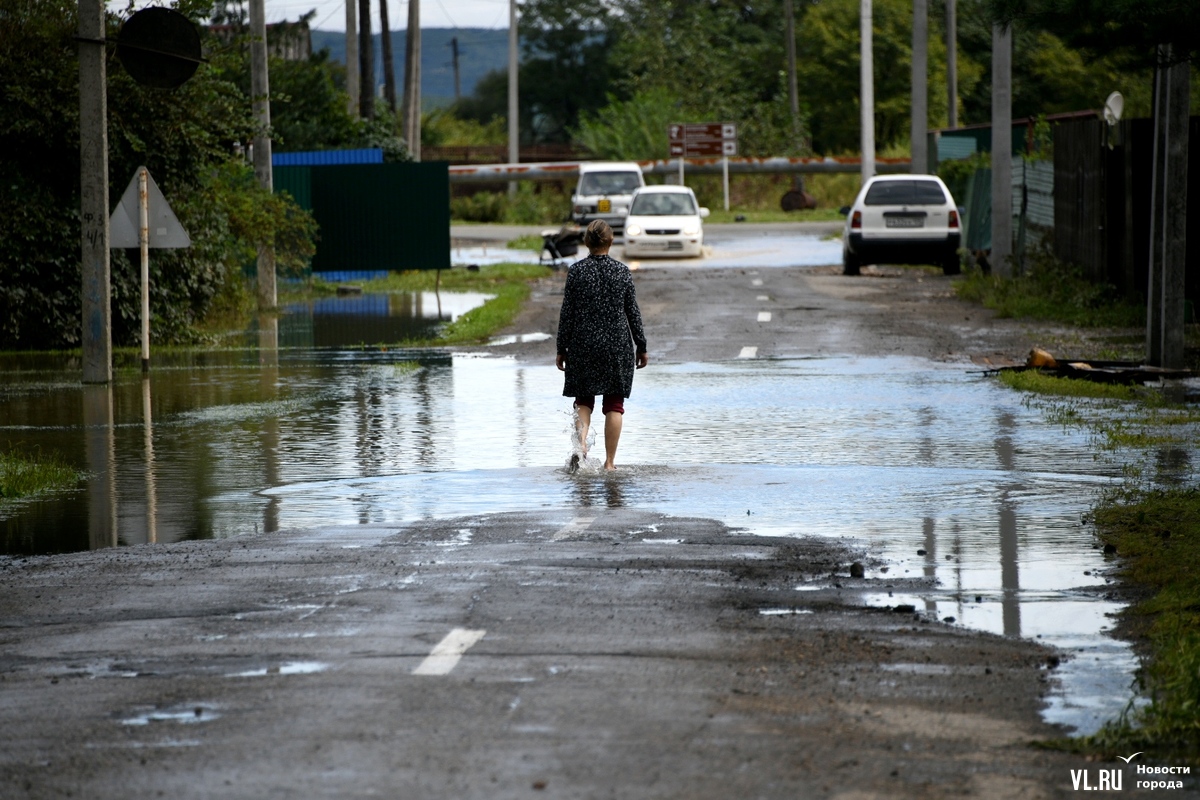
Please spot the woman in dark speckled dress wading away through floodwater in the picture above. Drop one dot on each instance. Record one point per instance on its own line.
(599, 328)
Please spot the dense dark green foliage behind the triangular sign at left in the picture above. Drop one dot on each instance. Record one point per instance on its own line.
(185, 137)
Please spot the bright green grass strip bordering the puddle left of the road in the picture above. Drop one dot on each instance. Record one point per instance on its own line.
(508, 282)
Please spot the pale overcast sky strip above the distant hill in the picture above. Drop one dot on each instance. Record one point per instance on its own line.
(332, 14)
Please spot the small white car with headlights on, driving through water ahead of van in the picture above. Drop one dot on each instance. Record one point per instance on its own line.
(665, 221)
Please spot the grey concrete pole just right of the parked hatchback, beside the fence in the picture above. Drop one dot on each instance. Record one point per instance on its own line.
(1001, 151)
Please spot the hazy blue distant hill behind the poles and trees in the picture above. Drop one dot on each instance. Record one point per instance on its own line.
(481, 51)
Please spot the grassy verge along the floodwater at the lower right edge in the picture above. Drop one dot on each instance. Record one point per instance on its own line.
(1153, 527)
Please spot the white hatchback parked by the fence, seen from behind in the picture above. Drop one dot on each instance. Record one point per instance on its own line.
(902, 220)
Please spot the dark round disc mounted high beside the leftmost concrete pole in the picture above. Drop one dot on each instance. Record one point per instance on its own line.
(159, 49)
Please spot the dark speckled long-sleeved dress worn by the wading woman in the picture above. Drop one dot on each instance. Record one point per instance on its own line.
(598, 328)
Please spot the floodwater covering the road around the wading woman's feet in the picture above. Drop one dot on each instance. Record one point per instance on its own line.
(899, 455)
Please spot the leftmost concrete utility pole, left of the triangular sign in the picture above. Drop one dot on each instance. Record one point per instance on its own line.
(98, 332)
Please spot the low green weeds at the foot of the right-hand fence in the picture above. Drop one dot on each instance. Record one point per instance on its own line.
(1053, 291)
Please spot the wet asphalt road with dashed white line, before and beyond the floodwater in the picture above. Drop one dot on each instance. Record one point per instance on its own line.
(599, 652)
